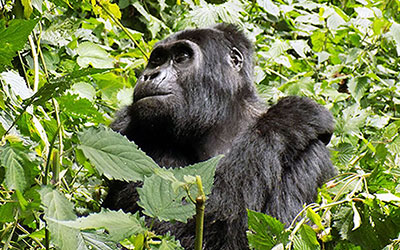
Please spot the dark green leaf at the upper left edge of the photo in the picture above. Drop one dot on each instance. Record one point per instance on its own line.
(13, 38)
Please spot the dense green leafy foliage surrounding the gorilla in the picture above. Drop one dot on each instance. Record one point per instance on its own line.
(66, 66)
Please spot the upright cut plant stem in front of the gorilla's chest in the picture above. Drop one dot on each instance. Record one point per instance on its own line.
(200, 206)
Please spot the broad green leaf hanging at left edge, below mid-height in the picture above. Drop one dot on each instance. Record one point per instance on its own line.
(13, 159)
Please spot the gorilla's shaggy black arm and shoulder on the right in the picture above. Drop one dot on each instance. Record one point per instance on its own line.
(274, 167)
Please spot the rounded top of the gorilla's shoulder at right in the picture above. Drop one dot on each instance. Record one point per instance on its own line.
(297, 119)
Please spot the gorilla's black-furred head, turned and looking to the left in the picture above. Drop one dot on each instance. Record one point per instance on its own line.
(195, 80)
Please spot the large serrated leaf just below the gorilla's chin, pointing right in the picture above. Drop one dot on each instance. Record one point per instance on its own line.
(115, 156)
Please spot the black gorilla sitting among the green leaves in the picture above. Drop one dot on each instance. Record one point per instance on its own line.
(195, 100)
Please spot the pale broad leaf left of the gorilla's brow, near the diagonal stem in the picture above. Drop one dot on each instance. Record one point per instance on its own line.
(92, 54)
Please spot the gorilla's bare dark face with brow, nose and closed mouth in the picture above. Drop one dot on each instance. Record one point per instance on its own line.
(161, 86)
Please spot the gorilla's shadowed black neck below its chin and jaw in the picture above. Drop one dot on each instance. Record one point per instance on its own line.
(162, 144)
